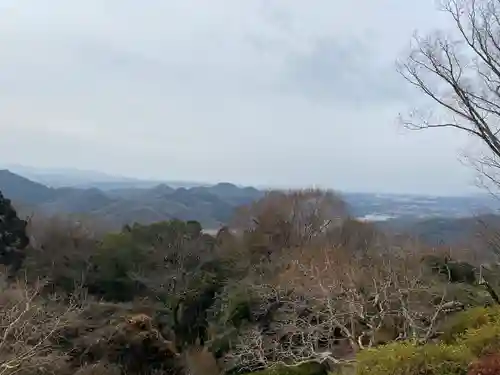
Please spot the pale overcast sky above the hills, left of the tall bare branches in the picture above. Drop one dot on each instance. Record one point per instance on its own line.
(283, 93)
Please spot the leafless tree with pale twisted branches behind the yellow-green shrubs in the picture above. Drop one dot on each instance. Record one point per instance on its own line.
(333, 304)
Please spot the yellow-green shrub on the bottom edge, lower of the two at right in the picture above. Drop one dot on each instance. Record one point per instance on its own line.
(405, 358)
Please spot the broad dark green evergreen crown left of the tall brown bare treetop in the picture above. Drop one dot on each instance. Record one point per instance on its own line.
(126, 263)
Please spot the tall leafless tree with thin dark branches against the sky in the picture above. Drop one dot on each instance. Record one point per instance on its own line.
(460, 73)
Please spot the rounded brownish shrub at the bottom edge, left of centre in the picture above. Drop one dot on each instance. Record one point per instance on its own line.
(116, 335)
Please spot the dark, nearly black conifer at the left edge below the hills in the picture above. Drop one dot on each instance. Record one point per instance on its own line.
(13, 237)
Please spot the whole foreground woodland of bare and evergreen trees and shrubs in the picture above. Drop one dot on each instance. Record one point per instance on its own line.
(293, 286)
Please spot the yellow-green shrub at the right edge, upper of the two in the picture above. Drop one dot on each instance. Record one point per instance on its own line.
(473, 318)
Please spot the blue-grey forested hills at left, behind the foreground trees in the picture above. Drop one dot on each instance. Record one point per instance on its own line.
(211, 205)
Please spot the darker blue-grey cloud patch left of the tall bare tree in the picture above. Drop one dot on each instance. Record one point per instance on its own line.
(344, 71)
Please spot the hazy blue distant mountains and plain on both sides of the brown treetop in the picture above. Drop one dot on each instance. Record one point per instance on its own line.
(117, 201)
